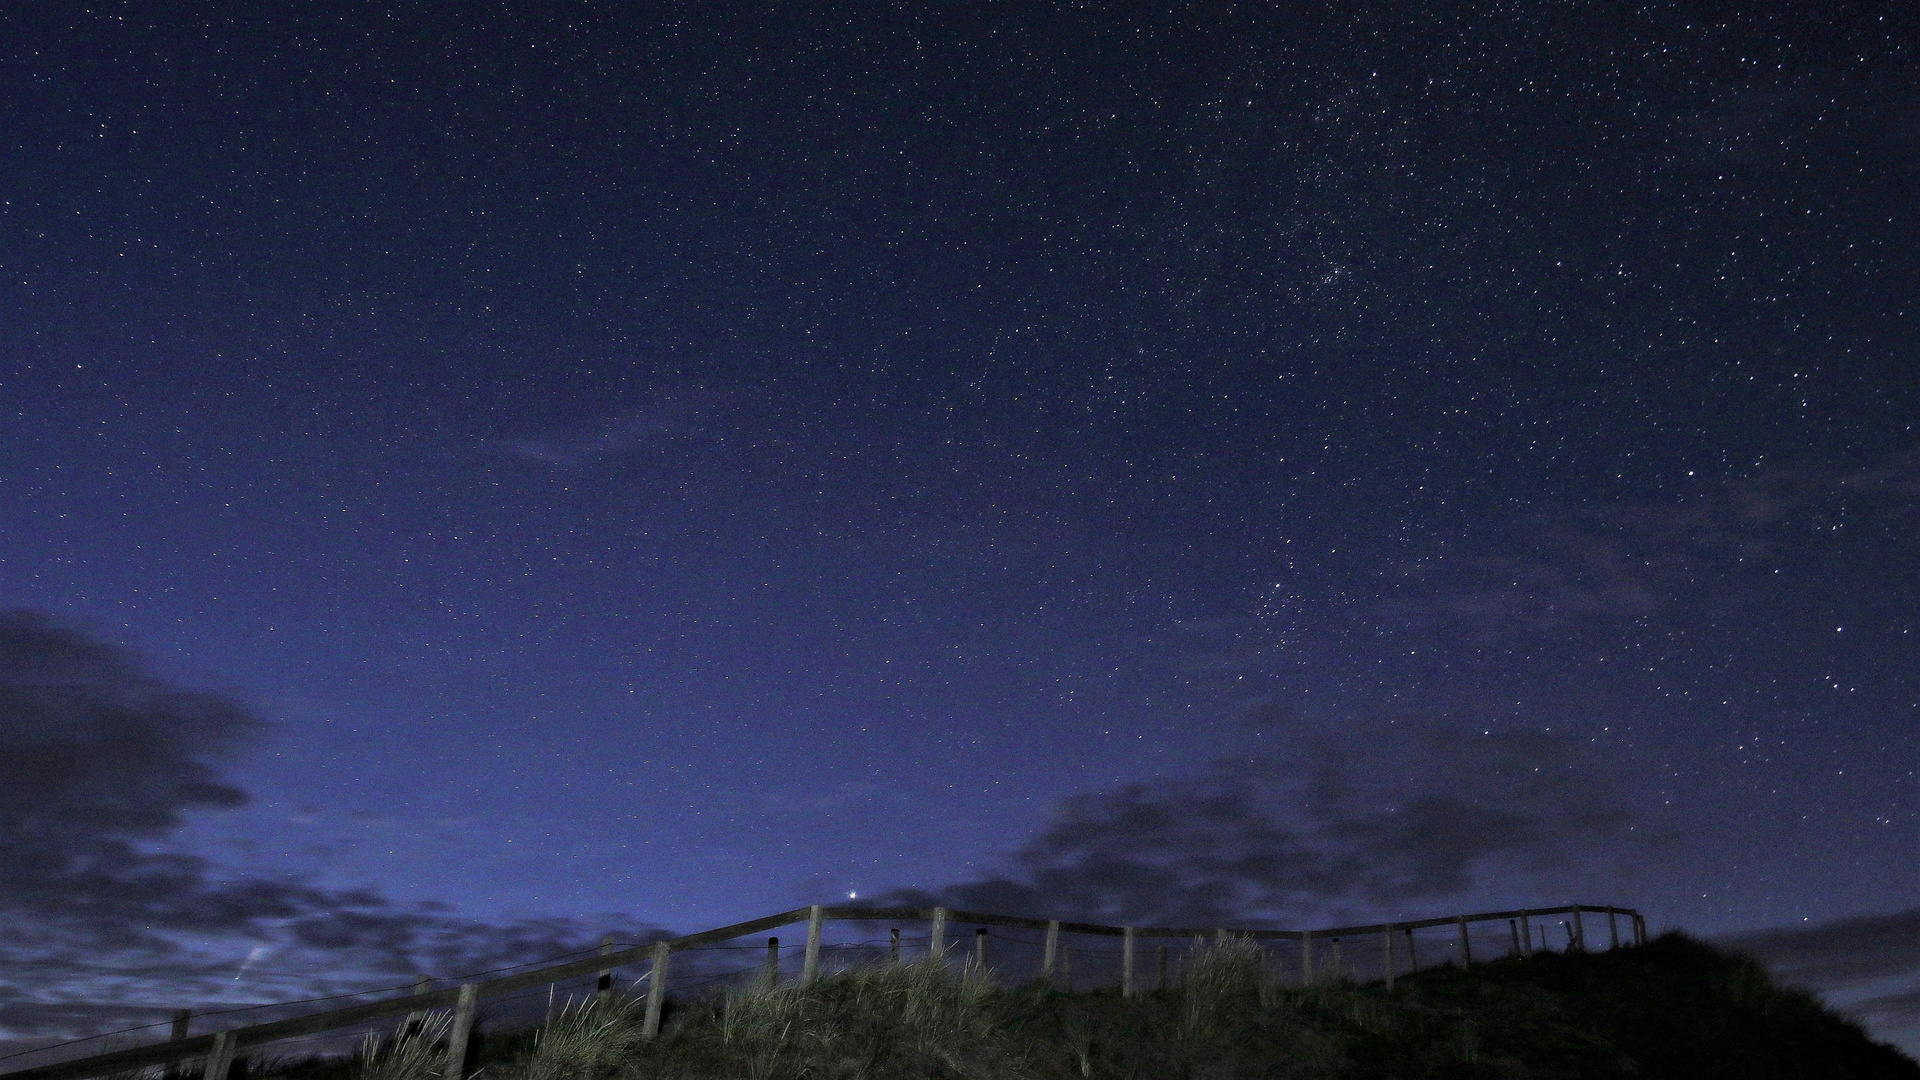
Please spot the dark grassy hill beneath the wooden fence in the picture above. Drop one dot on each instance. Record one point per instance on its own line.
(1671, 1010)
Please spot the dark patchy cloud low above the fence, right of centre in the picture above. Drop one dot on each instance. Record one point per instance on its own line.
(1368, 820)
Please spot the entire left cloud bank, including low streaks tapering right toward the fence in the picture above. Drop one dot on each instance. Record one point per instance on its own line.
(99, 762)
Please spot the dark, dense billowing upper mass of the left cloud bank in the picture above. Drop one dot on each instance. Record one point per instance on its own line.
(95, 758)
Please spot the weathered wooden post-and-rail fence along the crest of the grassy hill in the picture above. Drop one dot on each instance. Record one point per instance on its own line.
(218, 1048)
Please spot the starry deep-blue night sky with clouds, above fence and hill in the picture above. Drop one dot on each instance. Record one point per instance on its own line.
(617, 466)
